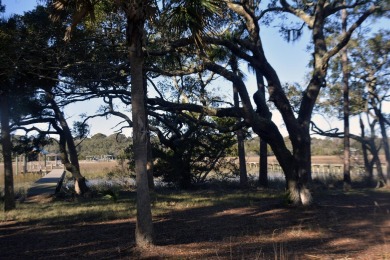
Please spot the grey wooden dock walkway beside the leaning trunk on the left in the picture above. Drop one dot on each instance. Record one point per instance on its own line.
(47, 185)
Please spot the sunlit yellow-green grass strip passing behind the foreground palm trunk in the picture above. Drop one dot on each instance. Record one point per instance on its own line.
(104, 207)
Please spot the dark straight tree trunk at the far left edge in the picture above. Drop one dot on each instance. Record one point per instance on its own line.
(9, 195)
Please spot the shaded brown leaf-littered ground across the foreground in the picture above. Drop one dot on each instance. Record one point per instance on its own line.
(337, 226)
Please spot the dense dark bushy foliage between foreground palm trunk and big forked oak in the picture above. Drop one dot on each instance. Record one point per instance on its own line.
(192, 153)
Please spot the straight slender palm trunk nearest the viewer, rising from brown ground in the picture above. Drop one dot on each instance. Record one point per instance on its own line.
(134, 35)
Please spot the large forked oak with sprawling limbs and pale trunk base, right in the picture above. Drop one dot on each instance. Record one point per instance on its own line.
(248, 46)
